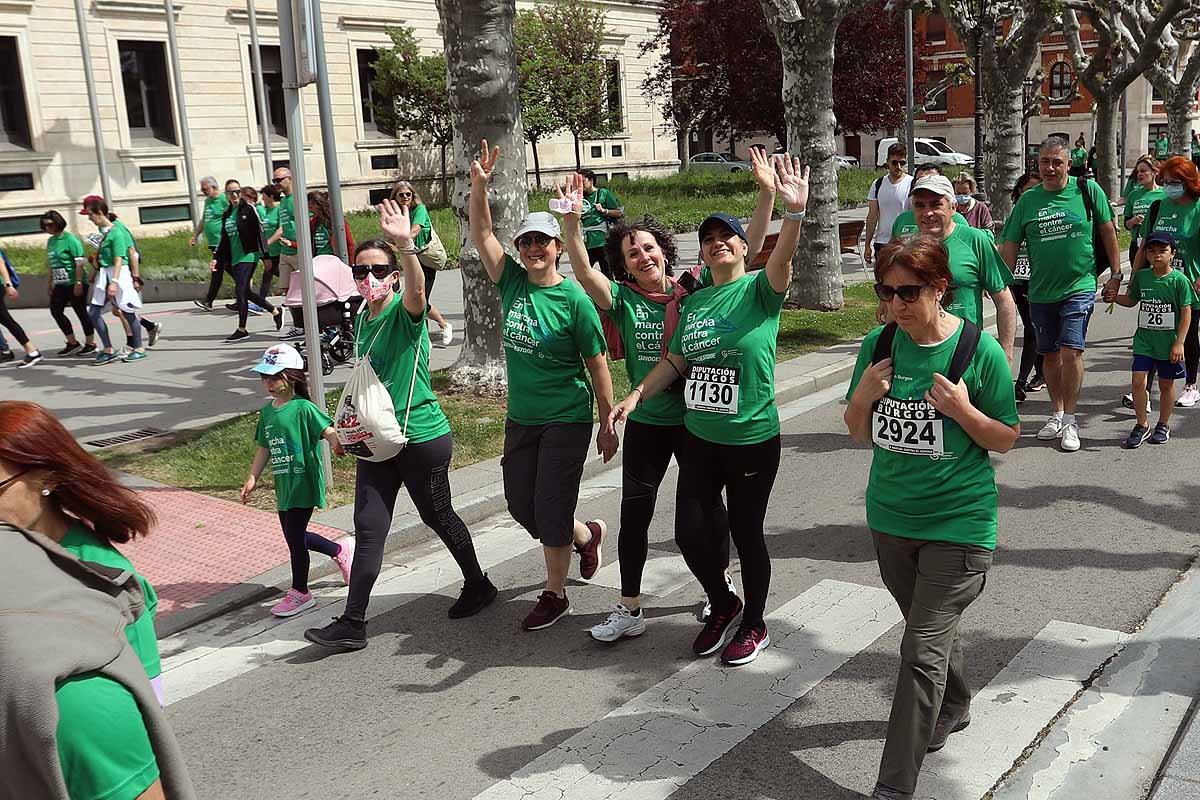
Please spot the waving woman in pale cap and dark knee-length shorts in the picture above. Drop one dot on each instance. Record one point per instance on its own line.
(553, 342)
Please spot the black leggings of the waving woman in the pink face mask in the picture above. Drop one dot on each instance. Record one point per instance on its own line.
(424, 471)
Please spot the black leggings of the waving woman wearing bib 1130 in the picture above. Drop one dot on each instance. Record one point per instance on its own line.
(747, 473)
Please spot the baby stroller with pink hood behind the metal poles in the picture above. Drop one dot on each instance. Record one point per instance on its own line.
(338, 303)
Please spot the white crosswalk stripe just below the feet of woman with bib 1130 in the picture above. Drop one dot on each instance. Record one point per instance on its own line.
(655, 744)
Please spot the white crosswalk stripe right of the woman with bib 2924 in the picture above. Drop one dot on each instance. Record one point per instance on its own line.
(1010, 713)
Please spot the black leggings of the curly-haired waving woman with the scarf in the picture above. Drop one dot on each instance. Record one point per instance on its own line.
(649, 449)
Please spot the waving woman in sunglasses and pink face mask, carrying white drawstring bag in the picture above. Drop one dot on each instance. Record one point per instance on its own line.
(392, 332)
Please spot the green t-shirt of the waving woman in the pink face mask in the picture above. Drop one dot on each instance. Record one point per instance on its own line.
(392, 358)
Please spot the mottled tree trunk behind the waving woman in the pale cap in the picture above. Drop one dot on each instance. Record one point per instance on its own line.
(484, 105)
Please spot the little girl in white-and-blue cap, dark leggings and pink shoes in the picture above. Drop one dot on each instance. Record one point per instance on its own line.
(290, 432)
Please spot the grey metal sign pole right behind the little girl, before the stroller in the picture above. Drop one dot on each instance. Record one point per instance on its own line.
(299, 193)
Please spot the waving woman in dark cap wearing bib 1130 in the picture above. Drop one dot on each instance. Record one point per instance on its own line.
(725, 350)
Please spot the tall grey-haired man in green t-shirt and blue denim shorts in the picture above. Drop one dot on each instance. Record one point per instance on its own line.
(1054, 222)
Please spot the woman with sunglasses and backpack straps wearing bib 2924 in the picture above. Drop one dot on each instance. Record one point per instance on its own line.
(932, 492)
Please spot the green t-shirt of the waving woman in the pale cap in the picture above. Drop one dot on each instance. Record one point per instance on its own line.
(548, 334)
